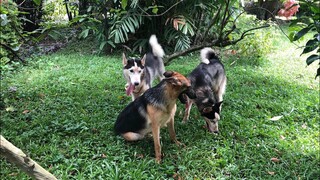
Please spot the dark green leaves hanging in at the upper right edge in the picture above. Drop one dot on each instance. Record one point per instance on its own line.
(308, 21)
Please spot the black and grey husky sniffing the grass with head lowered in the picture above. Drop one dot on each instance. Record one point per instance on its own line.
(208, 80)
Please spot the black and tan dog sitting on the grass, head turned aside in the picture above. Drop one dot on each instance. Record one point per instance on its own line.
(154, 109)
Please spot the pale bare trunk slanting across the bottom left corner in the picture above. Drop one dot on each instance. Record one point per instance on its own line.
(17, 157)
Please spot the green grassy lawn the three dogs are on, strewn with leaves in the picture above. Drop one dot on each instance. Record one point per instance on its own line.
(60, 110)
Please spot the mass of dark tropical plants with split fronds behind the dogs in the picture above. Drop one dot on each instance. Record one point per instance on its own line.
(182, 26)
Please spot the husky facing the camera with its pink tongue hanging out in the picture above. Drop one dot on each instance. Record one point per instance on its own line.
(140, 73)
